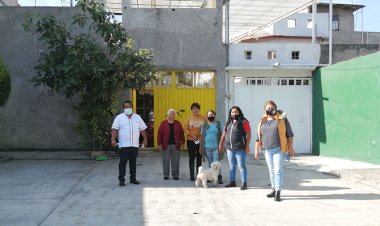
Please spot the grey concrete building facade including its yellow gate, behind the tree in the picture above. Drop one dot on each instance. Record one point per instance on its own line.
(188, 51)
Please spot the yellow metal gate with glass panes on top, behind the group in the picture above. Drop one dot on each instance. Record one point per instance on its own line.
(178, 90)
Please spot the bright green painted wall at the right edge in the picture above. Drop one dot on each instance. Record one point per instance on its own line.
(345, 110)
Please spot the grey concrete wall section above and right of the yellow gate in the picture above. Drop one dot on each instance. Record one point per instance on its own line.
(189, 39)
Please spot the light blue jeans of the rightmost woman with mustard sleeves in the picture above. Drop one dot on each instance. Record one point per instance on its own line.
(275, 162)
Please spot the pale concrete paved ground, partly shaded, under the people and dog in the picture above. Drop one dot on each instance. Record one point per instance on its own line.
(42, 191)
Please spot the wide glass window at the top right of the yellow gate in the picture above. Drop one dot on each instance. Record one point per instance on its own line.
(190, 79)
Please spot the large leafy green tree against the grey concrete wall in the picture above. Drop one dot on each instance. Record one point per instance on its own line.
(95, 65)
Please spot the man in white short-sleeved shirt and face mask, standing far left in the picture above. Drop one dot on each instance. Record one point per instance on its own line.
(127, 127)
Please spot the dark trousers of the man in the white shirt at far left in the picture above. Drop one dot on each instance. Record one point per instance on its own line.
(128, 154)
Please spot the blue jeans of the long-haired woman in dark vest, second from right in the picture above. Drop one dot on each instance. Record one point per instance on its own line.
(237, 157)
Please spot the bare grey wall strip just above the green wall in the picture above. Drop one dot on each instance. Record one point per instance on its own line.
(345, 52)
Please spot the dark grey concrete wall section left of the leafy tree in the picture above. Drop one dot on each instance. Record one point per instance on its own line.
(32, 118)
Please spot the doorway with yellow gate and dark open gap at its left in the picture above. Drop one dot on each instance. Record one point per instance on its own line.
(176, 90)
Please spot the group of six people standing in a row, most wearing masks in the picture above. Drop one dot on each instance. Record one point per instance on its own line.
(208, 137)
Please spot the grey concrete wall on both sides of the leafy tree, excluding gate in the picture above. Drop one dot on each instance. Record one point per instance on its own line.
(32, 119)
